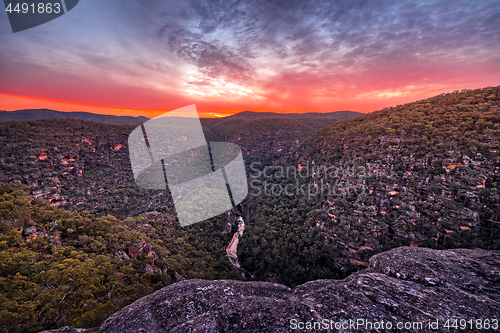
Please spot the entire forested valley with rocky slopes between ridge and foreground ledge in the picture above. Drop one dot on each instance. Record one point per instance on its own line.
(322, 201)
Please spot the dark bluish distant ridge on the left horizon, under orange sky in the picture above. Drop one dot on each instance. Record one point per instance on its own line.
(37, 114)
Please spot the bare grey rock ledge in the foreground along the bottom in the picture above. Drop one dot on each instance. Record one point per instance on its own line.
(402, 285)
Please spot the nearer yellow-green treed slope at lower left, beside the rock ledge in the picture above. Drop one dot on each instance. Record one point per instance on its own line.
(59, 268)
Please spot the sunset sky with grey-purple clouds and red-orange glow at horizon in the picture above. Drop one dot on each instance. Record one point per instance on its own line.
(146, 57)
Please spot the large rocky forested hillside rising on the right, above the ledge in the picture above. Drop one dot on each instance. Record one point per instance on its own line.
(425, 173)
